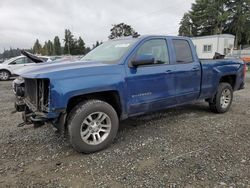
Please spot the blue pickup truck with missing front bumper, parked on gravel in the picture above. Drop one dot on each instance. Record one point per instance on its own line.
(123, 78)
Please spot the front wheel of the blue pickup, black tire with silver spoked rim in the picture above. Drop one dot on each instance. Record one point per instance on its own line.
(92, 125)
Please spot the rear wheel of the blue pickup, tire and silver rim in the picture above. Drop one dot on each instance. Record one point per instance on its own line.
(223, 98)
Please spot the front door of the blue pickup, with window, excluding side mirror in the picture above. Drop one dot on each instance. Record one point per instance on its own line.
(151, 87)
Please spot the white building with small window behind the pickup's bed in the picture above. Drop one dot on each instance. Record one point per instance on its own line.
(207, 46)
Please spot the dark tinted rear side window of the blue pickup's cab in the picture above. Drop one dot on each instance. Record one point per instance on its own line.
(183, 51)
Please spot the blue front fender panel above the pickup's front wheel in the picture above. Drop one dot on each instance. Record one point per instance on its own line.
(62, 90)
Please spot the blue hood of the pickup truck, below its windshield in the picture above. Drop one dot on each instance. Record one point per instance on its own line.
(60, 69)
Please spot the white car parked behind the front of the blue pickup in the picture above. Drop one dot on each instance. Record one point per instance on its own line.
(9, 66)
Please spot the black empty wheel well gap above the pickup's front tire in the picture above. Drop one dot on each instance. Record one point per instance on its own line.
(111, 97)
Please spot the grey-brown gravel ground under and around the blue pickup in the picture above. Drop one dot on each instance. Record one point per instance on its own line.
(185, 146)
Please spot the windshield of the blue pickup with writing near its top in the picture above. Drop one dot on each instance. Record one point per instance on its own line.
(110, 51)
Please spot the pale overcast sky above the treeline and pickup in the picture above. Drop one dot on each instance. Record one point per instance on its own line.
(22, 21)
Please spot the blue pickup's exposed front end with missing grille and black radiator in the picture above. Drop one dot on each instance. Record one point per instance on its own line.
(33, 99)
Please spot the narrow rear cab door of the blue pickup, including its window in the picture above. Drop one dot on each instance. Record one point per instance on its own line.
(187, 72)
